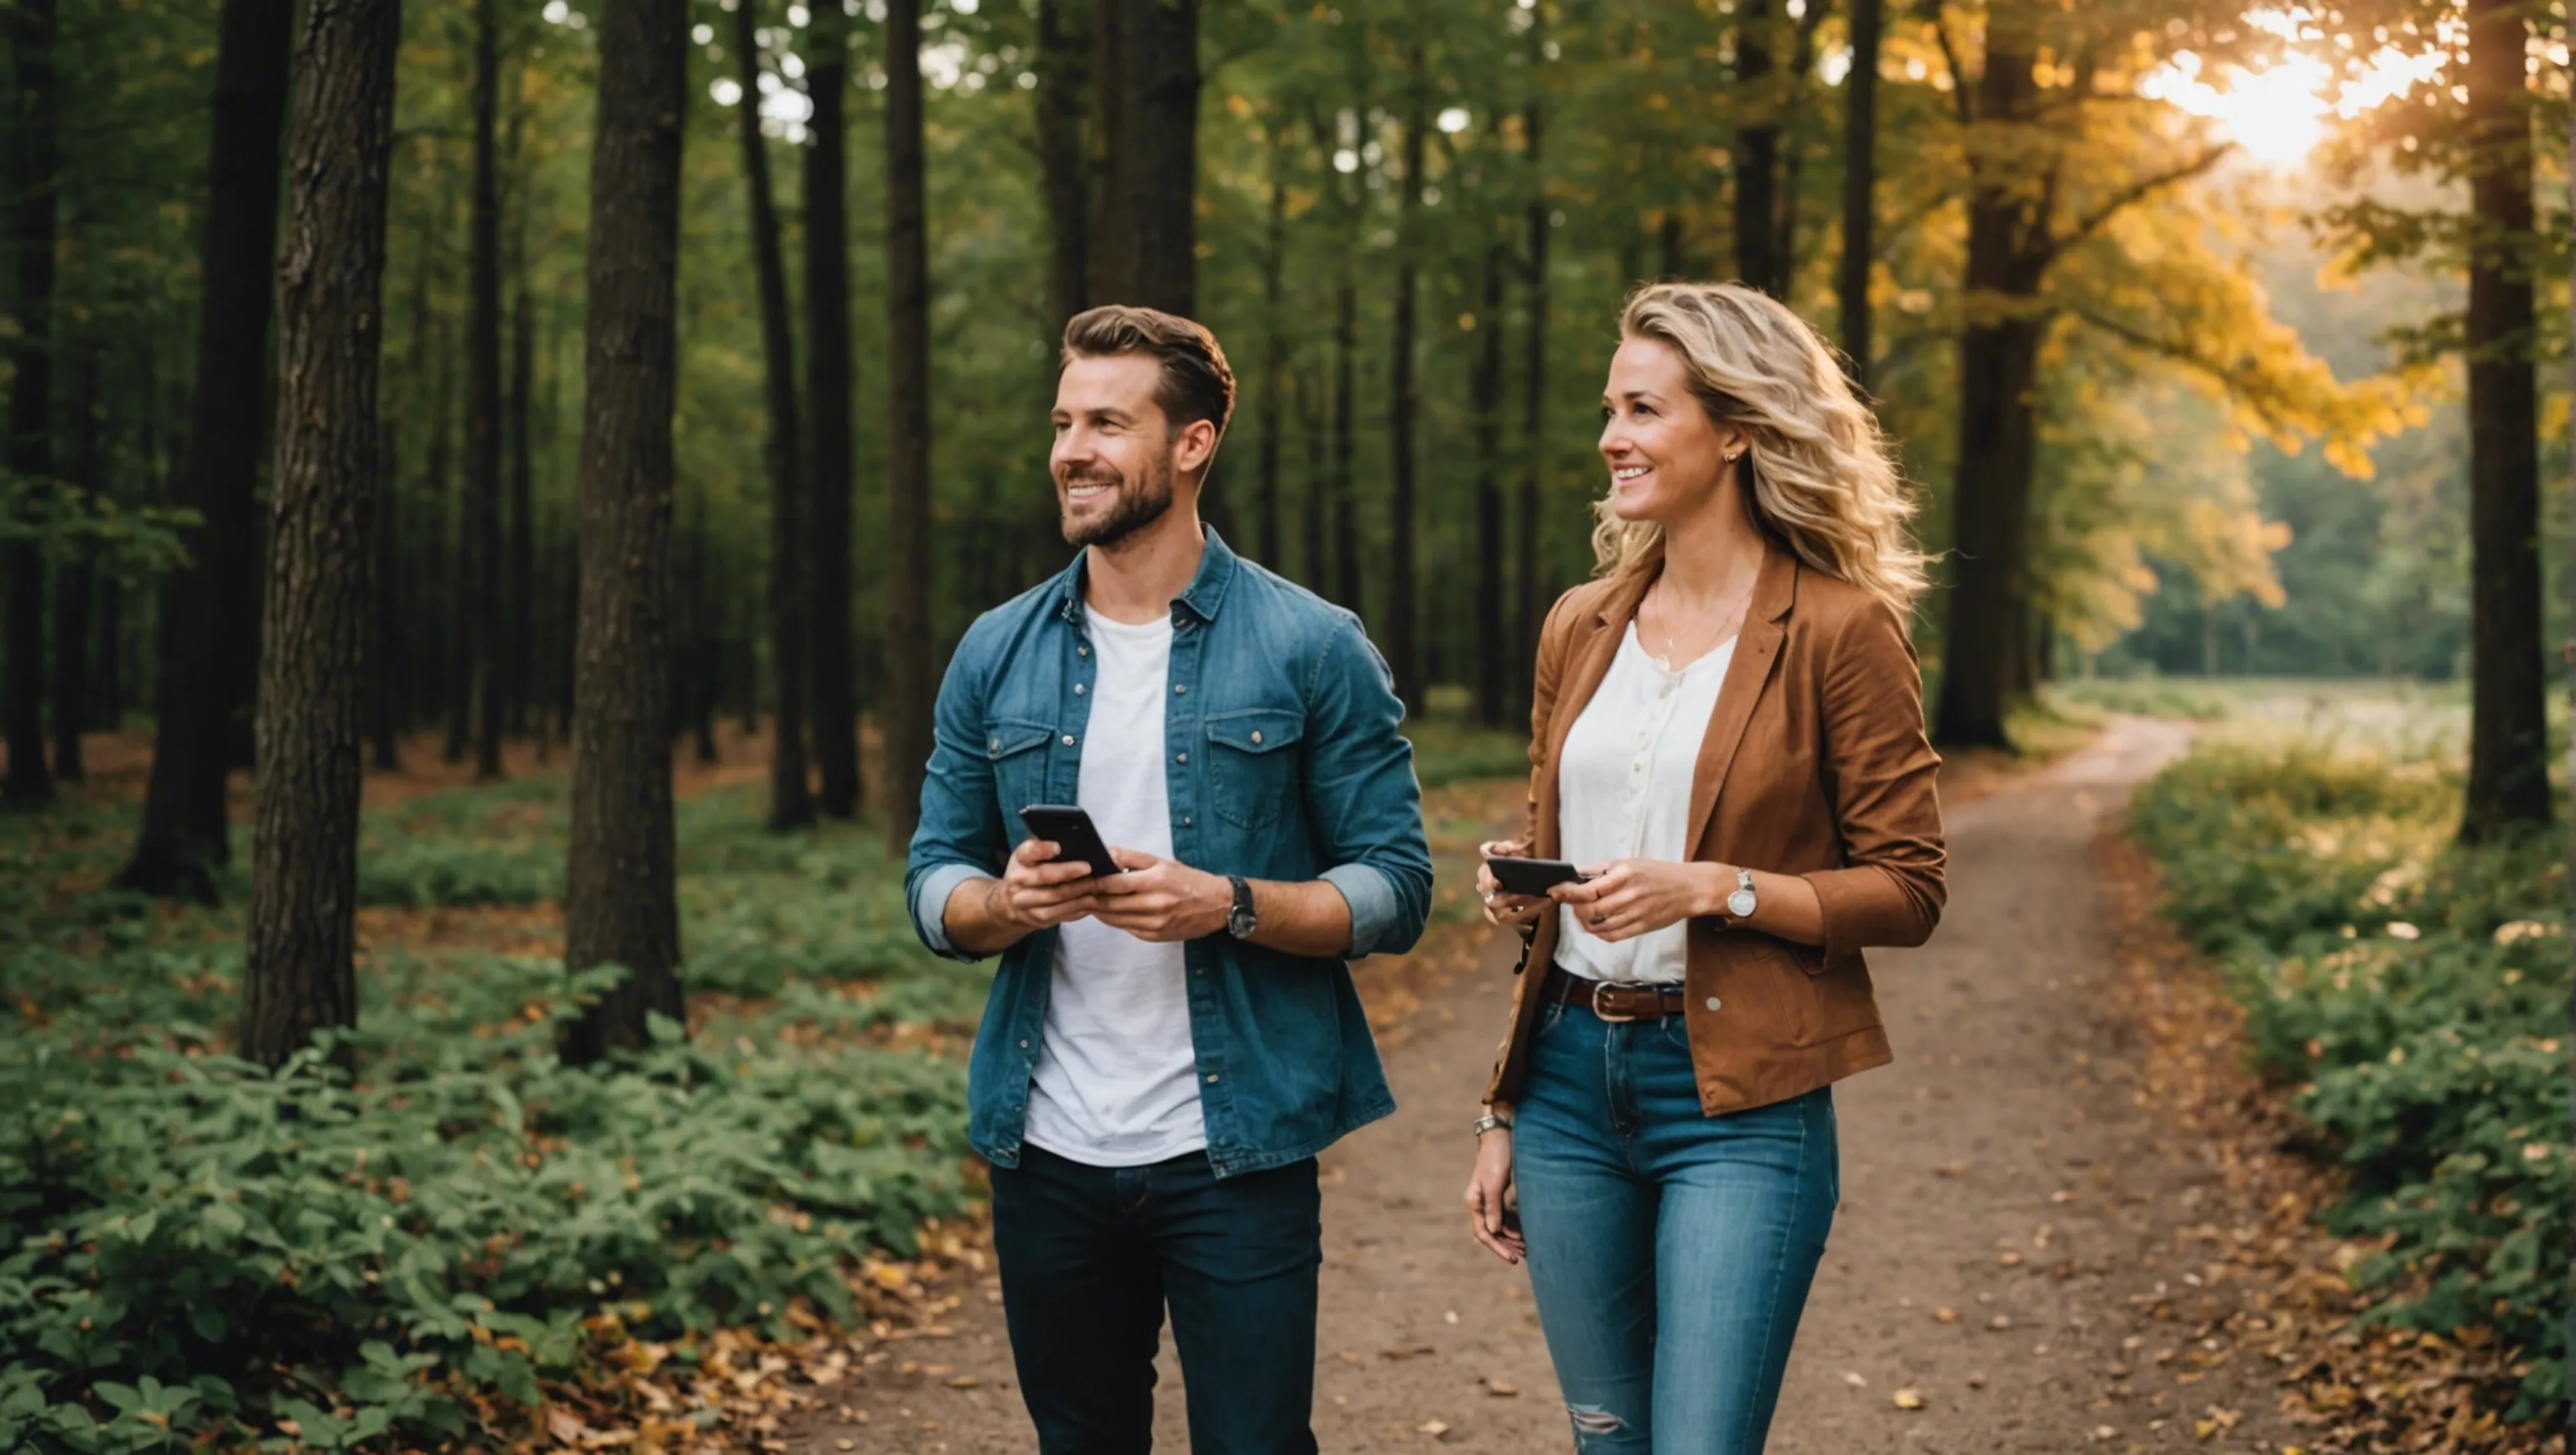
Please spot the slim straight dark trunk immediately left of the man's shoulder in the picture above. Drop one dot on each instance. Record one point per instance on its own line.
(908, 431)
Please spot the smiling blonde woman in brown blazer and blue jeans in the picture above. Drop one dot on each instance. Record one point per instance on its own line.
(1727, 743)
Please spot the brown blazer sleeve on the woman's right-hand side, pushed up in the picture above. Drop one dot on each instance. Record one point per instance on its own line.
(1887, 802)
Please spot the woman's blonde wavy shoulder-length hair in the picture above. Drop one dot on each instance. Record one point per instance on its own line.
(1823, 478)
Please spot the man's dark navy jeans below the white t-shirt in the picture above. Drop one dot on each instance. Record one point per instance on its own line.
(1091, 1255)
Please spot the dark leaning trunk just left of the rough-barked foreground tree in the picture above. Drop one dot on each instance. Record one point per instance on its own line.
(215, 599)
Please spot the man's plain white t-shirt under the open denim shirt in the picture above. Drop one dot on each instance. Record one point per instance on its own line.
(1117, 1083)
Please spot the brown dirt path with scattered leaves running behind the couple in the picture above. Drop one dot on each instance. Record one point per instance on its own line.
(2021, 1245)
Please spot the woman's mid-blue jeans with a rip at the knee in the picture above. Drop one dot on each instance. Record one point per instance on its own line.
(1671, 1250)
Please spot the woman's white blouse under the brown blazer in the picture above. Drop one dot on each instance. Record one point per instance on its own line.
(1624, 792)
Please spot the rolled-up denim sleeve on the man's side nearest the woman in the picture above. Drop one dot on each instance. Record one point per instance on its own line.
(1364, 800)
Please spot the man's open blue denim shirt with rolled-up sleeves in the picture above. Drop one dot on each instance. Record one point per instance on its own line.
(1284, 764)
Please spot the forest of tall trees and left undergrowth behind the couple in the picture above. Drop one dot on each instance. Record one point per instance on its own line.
(527, 462)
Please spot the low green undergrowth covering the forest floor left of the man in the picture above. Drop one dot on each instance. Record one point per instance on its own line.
(194, 1245)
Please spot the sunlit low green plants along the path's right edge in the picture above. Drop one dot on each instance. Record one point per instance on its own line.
(2415, 995)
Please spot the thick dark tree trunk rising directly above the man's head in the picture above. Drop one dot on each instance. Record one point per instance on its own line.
(1148, 241)
